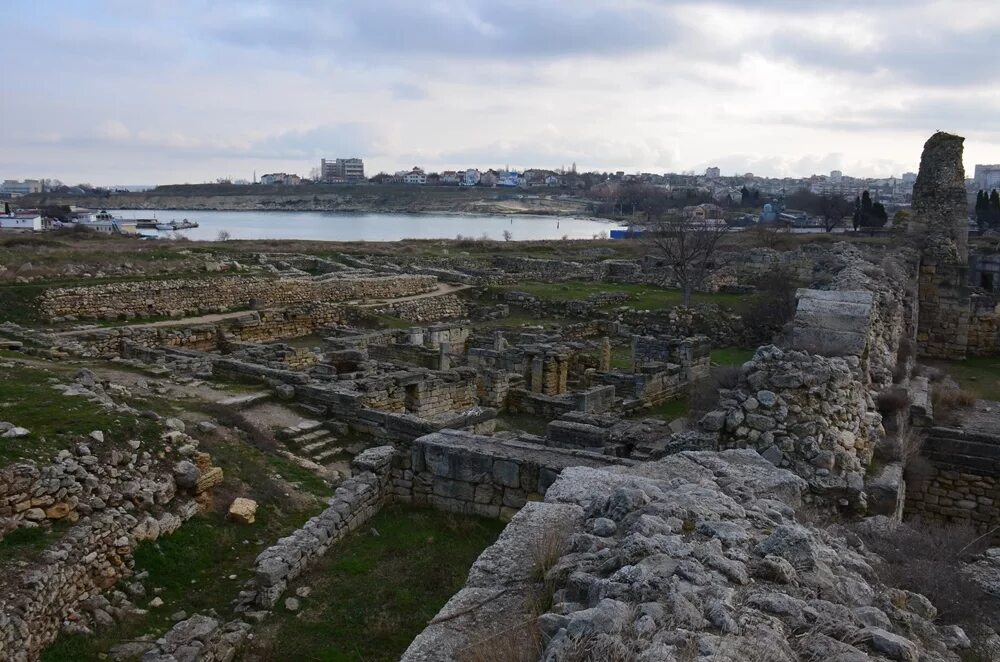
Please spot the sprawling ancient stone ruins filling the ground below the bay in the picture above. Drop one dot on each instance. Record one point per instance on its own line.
(405, 379)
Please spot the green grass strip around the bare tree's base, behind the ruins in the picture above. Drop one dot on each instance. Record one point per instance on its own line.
(641, 296)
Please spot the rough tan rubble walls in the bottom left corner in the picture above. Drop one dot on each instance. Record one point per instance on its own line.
(121, 499)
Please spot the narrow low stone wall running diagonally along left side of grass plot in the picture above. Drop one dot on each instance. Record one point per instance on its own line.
(354, 502)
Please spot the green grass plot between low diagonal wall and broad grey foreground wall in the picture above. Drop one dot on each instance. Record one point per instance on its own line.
(372, 594)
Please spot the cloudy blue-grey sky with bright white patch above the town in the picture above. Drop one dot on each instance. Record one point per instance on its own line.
(125, 92)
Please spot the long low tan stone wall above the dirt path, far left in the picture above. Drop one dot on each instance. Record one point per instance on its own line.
(195, 296)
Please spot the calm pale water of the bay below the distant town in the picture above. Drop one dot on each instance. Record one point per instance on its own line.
(333, 226)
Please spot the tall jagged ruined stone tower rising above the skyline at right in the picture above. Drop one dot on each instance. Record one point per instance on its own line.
(940, 224)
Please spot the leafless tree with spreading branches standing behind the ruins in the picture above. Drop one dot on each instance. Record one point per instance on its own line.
(687, 248)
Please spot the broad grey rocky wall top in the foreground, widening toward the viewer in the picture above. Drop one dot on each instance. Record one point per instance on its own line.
(650, 559)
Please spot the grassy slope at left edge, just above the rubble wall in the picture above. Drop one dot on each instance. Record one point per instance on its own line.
(28, 400)
